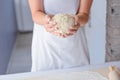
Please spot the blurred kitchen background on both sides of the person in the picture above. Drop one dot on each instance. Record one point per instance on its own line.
(16, 28)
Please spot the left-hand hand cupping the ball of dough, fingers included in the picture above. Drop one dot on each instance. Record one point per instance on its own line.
(51, 26)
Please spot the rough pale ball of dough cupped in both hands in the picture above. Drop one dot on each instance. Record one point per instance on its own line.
(64, 22)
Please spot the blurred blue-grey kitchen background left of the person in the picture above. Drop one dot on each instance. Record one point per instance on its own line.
(15, 36)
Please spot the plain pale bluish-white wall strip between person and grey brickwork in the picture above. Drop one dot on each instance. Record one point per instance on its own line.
(96, 33)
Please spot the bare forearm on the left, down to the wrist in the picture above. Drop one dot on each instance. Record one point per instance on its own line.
(37, 11)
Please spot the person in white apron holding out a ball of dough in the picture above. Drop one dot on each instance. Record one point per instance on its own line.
(51, 49)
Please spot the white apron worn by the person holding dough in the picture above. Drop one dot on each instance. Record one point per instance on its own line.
(52, 52)
